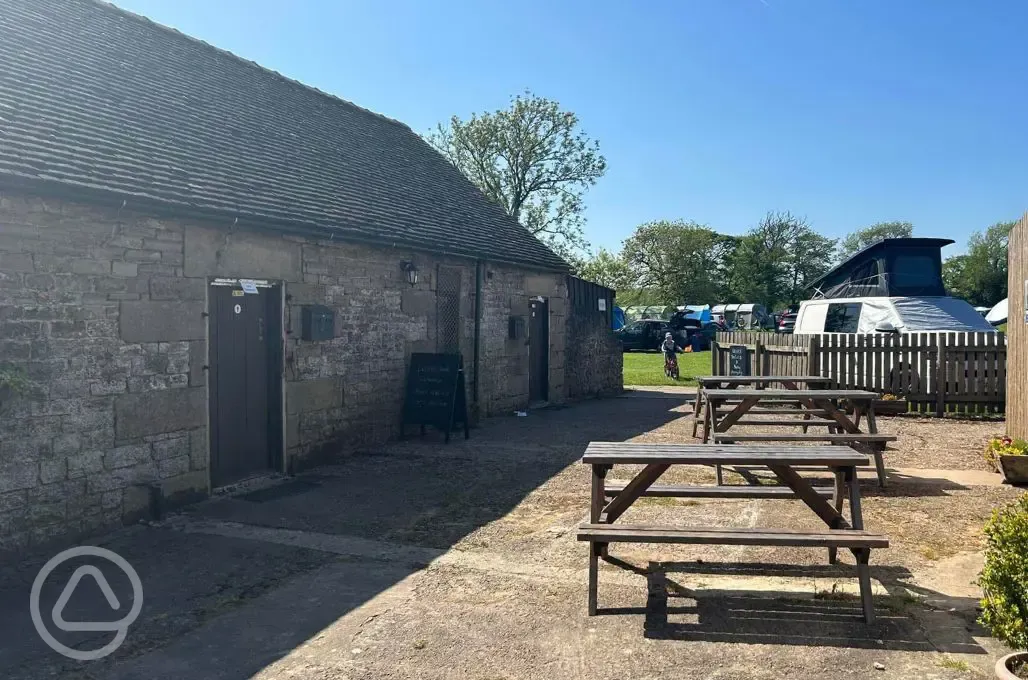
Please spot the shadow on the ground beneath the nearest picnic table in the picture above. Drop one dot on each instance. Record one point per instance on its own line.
(827, 620)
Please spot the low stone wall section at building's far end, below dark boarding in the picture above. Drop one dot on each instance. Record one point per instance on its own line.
(596, 363)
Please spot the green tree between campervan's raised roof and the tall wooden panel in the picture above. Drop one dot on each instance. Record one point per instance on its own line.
(980, 275)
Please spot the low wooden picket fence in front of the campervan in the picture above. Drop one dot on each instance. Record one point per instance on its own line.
(936, 373)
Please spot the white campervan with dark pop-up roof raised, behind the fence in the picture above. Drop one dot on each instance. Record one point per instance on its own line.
(893, 287)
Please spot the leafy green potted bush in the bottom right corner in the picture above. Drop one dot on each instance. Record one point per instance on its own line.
(1005, 586)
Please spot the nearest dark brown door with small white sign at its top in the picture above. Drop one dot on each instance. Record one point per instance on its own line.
(245, 387)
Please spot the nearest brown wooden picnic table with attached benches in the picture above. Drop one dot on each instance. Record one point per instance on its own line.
(602, 529)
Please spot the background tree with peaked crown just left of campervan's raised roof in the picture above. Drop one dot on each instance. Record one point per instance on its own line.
(777, 261)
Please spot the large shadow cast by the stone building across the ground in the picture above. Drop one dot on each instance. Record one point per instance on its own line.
(421, 493)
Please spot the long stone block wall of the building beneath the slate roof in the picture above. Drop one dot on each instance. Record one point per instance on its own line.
(104, 311)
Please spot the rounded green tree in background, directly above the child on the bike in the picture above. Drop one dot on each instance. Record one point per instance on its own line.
(680, 262)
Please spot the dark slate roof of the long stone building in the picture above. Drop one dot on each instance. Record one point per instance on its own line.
(112, 105)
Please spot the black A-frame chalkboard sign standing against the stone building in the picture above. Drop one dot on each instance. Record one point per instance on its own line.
(436, 393)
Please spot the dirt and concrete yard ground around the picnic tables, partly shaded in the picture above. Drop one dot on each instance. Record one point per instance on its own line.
(425, 560)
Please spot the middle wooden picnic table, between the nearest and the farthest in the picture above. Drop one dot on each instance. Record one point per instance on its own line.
(824, 404)
